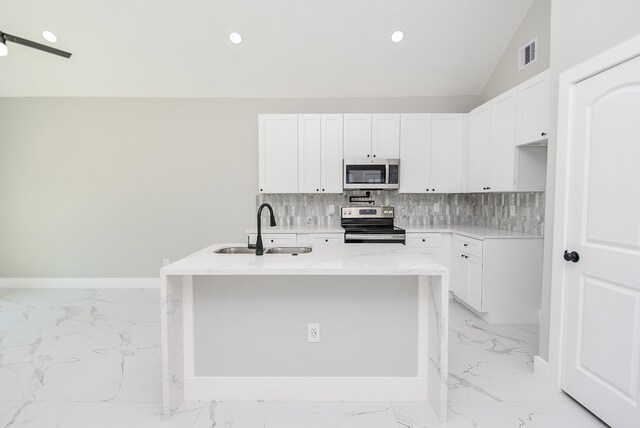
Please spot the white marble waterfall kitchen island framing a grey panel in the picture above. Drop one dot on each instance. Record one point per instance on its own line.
(349, 264)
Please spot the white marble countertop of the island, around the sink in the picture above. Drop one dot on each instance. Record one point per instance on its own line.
(349, 259)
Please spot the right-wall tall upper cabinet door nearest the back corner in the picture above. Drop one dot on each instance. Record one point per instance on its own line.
(479, 149)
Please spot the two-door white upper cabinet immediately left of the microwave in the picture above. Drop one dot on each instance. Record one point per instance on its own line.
(319, 153)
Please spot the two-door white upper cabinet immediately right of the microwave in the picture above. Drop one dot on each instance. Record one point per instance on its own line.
(431, 152)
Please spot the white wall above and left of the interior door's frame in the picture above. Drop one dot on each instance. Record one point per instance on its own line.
(580, 29)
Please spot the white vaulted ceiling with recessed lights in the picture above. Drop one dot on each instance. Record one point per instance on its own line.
(290, 48)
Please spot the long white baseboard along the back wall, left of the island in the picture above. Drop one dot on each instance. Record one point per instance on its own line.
(79, 282)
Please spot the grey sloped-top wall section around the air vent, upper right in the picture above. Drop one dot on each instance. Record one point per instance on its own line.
(536, 24)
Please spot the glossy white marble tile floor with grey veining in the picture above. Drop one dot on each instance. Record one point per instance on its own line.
(91, 358)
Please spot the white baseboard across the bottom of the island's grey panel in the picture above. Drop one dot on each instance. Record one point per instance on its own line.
(306, 388)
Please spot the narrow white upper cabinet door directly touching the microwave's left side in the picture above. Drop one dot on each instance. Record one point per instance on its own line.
(331, 133)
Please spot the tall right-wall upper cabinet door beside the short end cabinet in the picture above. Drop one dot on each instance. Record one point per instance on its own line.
(503, 141)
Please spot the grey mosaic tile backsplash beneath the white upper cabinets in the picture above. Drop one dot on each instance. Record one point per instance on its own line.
(519, 212)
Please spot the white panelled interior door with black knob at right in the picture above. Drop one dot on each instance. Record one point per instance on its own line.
(601, 358)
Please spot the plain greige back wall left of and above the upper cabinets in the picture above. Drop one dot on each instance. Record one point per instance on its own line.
(108, 187)
